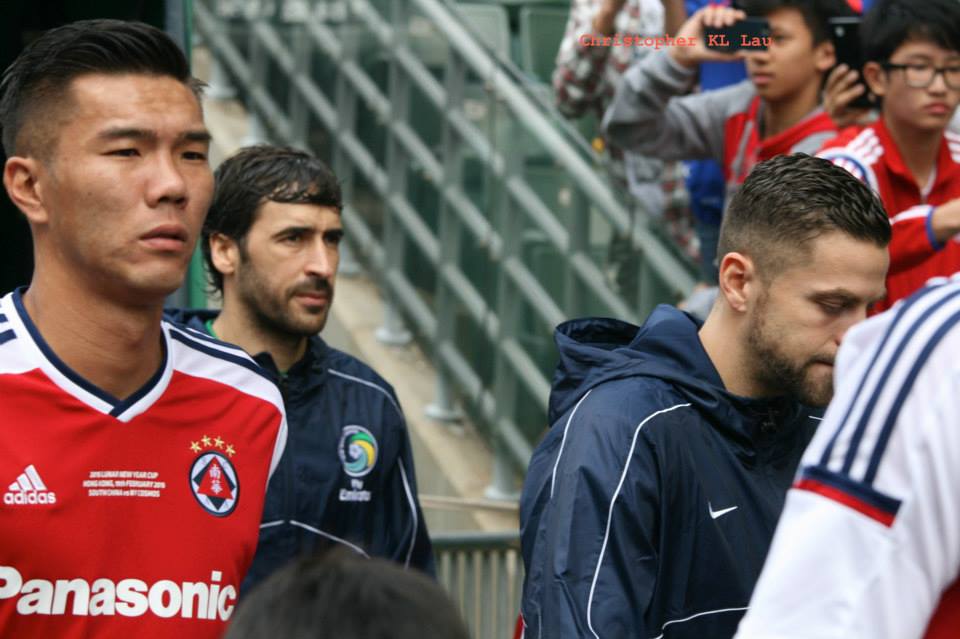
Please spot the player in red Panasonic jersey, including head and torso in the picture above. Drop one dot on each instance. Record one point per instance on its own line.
(134, 453)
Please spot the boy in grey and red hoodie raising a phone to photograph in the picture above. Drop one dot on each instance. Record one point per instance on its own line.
(776, 111)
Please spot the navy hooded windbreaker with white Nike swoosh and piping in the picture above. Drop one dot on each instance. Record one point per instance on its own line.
(649, 506)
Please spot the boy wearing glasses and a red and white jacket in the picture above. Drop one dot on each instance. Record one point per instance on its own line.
(907, 156)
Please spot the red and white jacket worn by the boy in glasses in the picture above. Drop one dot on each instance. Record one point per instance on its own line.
(872, 156)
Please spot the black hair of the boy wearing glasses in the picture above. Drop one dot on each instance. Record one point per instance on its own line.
(888, 24)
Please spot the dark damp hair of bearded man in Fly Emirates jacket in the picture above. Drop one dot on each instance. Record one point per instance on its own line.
(258, 174)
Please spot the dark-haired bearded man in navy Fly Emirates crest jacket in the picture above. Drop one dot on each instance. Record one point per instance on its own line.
(346, 478)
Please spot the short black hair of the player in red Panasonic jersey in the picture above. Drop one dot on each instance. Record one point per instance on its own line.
(35, 84)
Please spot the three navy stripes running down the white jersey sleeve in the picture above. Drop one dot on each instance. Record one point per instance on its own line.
(917, 326)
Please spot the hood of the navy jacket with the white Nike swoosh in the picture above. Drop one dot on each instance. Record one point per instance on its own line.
(667, 347)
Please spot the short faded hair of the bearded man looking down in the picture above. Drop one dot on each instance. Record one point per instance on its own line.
(788, 201)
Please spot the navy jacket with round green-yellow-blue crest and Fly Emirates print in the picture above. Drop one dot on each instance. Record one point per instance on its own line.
(346, 476)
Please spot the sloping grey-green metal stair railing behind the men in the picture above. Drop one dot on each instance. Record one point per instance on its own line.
(483, 215)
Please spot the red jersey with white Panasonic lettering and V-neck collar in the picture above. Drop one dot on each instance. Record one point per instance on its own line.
(136, 517)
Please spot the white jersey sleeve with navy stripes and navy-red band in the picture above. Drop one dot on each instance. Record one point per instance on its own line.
(869, 541)
